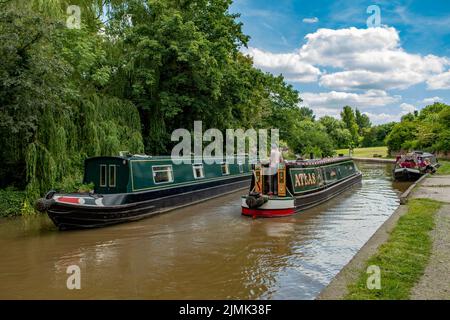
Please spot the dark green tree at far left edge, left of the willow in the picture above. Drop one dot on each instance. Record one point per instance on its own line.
(33, 82)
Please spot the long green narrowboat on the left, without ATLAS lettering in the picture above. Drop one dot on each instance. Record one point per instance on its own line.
(129, 188)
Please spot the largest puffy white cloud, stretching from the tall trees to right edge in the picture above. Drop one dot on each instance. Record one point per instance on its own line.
(361, 59)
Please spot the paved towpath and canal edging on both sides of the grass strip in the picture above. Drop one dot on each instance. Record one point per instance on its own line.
(434, 283)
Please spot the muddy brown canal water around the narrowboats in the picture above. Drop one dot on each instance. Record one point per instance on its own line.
(206, 251)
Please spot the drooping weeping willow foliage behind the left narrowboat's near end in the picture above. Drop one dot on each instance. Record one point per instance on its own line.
(98, 125)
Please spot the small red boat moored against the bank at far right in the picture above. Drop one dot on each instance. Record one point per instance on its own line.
(413, 165)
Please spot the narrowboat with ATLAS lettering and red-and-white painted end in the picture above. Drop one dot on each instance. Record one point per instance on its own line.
(297, 186)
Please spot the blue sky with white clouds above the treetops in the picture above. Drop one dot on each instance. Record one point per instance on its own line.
(327, 52)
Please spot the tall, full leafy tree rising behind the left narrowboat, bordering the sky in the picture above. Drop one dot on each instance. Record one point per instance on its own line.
(180, 58)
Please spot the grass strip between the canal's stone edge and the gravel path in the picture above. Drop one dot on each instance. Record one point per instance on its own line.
(402, 259)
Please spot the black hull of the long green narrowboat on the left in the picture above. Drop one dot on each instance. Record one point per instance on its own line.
(136, 206)
